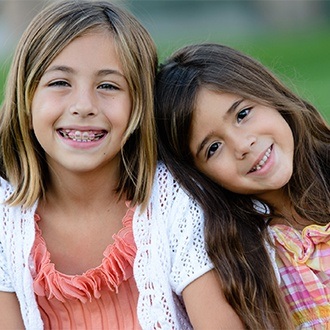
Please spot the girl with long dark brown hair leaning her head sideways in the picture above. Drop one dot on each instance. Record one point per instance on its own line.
(256, 157)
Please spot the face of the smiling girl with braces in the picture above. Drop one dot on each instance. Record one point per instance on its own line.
(82, 105)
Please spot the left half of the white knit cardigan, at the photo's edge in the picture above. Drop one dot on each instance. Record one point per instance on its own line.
(16, 239)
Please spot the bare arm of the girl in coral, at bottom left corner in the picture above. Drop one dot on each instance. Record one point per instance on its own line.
(10, 313)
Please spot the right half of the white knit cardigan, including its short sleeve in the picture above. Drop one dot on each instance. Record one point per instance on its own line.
(170, 253)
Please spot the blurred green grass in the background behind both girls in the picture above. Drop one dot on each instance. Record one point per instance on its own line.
(301, 60)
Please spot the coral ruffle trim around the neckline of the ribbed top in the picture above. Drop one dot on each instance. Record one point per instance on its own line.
(116, 267)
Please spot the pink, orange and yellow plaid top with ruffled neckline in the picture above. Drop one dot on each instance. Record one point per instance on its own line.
(303, 258)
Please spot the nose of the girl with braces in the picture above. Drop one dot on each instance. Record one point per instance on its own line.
(83, 103)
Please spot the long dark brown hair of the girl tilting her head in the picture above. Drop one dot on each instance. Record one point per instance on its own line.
(235, 232)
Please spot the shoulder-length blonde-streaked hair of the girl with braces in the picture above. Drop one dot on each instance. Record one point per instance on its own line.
(23, 159)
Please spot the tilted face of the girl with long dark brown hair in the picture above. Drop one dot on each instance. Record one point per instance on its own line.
(245, 147)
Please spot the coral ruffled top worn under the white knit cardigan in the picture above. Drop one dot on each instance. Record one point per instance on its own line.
(104, 297)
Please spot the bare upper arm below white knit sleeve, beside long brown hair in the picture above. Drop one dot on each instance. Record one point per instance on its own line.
(206, 305)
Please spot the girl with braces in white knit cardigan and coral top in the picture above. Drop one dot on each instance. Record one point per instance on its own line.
(93, 234)
